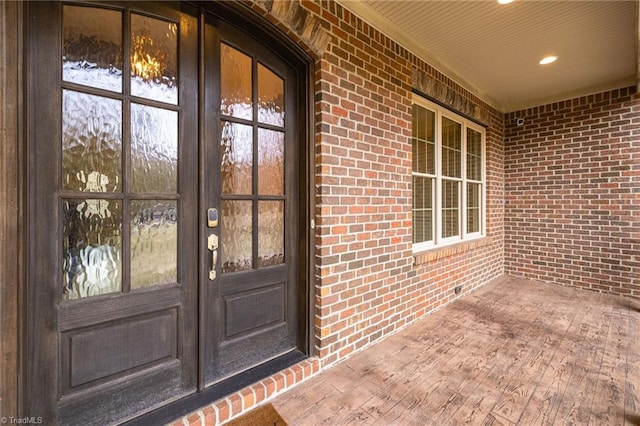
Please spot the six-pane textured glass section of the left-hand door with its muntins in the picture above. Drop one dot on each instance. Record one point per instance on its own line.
(106, 234)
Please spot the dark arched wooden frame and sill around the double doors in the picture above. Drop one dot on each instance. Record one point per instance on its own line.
(16, 116)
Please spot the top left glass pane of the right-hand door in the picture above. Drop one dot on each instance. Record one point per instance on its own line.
(236, 86)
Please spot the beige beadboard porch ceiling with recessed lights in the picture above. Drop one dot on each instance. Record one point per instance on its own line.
(493, 50)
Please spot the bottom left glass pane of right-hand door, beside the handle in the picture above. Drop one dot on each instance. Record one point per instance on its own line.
(236, 240)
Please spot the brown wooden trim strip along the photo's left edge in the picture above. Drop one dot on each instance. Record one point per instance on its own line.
(12, 224)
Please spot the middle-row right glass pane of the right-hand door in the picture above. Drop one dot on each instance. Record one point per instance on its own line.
(270, 162)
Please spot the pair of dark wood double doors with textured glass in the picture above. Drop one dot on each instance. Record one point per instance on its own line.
(164, 240)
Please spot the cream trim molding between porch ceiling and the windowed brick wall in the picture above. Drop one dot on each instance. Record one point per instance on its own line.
(383, 25)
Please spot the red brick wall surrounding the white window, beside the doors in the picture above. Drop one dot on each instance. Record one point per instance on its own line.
(368, 282)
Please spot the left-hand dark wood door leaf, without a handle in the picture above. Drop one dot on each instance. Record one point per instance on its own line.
(112, 210)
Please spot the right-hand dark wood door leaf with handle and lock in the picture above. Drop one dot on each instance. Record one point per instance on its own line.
(251, 181)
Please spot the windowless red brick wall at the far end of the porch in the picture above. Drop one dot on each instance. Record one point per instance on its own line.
(572, 174)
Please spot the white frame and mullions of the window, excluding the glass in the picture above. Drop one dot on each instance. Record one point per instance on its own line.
(437, 213)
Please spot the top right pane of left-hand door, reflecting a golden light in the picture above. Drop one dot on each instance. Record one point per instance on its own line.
(154, 59)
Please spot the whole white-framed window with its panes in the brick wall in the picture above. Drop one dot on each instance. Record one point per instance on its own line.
(448, 177)
